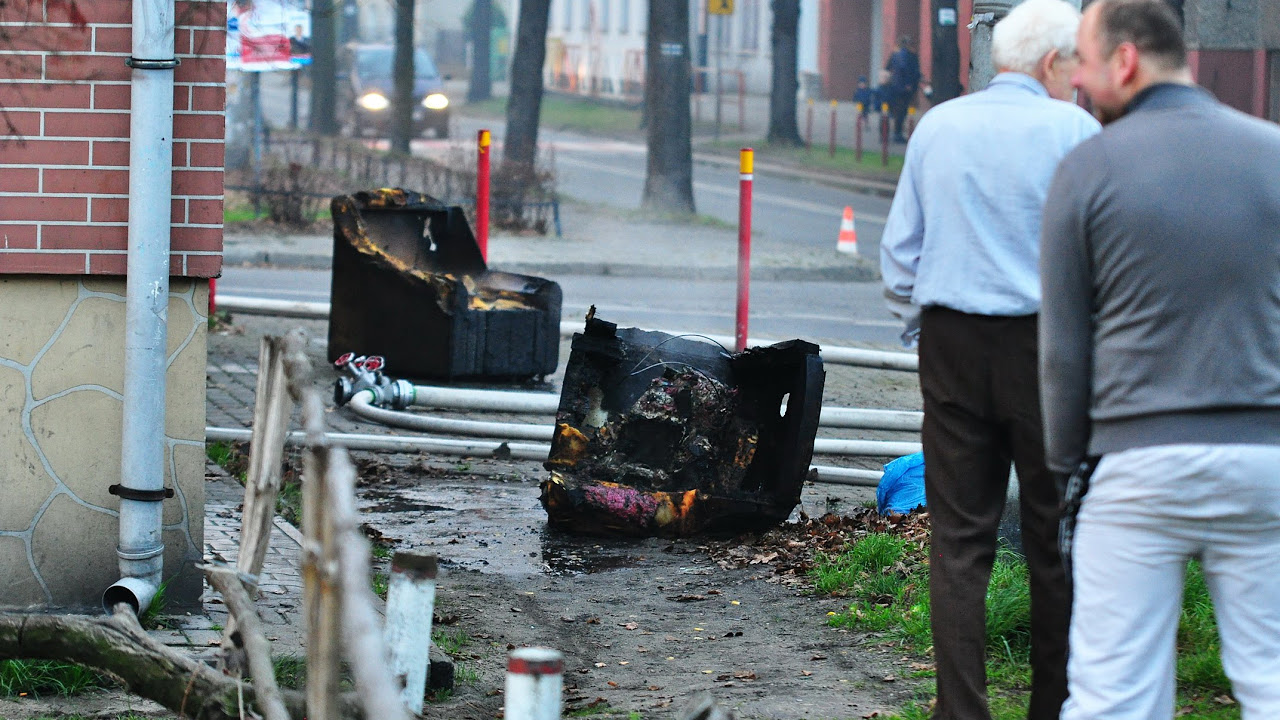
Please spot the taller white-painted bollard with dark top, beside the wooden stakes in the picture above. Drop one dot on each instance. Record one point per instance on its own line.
(410, 604)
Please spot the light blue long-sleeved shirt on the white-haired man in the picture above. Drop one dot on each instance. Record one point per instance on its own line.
(964, 227)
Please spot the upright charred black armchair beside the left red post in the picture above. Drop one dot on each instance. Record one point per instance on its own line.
(410, 284)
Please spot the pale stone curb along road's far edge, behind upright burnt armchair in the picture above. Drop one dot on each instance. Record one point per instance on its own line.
(858, 272)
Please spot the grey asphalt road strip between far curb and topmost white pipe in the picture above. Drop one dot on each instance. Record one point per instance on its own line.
(831, 313)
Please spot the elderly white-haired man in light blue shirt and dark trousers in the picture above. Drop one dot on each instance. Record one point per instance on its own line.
(961, 258)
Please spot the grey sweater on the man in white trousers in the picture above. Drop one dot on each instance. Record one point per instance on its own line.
(1160, 271)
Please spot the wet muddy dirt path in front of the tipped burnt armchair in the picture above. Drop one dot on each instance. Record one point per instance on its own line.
(644, 625)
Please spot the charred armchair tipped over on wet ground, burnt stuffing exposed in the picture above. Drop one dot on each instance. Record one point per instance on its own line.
(671, 436)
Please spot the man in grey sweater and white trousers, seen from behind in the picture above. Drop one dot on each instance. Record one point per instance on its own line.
(1160, 354)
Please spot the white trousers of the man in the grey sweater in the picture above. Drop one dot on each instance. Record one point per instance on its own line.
(1148, 513)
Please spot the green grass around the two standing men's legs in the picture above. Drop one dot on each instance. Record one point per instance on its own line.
(888, 585)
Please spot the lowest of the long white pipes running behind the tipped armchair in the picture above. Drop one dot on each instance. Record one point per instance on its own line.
(488, 449)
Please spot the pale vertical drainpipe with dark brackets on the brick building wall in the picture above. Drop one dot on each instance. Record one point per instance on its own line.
(141, 490)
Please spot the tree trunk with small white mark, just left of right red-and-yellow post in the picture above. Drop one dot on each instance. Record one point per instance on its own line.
(669, 185)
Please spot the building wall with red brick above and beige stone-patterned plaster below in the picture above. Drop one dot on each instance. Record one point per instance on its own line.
(65, 209)
